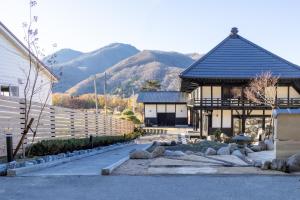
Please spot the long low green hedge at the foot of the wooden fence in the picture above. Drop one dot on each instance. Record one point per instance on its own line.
(52, 147)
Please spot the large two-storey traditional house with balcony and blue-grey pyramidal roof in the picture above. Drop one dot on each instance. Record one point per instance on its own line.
(215, 85)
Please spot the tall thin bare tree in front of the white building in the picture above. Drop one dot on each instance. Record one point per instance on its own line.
(35, 85)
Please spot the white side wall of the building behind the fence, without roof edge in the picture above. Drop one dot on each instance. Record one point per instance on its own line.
(14, 67)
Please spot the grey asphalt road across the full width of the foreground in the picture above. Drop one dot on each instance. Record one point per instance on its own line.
(150, 187)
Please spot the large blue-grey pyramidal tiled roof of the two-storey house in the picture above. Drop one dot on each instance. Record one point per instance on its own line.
(236, 57)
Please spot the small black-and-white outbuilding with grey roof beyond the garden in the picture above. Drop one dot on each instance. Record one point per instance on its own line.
(164, 108)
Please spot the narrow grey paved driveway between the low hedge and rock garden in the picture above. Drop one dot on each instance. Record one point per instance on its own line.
(89, 165)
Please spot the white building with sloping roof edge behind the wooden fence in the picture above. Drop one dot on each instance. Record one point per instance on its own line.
(14, 68)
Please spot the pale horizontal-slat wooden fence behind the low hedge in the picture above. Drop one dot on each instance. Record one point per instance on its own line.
(55, 122)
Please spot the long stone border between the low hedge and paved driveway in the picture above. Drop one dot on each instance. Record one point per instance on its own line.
(22, 170)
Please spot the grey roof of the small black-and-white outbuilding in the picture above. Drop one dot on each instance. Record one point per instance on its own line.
(162, 97)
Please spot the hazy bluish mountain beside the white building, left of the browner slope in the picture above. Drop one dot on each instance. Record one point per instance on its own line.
(74, 66)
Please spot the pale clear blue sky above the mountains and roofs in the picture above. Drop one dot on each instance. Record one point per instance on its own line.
(172, 25)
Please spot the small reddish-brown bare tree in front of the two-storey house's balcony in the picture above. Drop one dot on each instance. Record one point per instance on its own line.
(262, 90)
